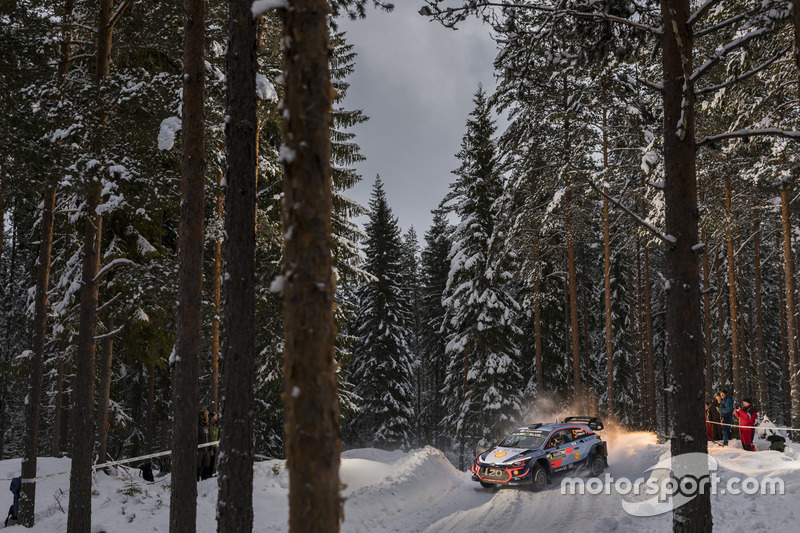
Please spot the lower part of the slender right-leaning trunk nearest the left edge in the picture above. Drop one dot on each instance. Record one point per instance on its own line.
(33, 405)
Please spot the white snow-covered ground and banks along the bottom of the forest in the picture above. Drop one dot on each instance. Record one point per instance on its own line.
(420, 491)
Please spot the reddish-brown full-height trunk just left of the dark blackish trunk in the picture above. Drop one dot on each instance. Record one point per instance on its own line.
(186, 368)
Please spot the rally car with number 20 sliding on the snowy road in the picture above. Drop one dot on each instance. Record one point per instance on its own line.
(533, 454)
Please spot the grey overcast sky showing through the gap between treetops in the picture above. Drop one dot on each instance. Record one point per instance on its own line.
(415, 80)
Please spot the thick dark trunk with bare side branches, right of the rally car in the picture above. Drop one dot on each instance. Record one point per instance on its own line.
(682, 267)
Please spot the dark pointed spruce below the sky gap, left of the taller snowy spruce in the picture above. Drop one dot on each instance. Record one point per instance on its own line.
(381, 370)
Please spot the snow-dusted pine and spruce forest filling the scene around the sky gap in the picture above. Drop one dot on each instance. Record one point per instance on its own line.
(623, 247)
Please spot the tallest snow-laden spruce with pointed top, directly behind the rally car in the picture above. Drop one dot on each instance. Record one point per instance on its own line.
(483, 386)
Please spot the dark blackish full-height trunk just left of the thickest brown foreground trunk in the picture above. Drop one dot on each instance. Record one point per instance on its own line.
(235, 509)
